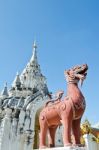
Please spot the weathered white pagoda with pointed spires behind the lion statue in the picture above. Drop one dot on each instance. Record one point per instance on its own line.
(20, 106)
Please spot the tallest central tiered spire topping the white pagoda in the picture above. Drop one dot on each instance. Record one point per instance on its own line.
(31, 77)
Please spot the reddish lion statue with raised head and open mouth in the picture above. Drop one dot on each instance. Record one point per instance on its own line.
(67, 112)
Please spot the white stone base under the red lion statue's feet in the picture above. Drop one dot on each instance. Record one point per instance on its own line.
(66, 148)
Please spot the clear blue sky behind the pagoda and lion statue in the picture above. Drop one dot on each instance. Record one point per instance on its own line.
(67, 33)
